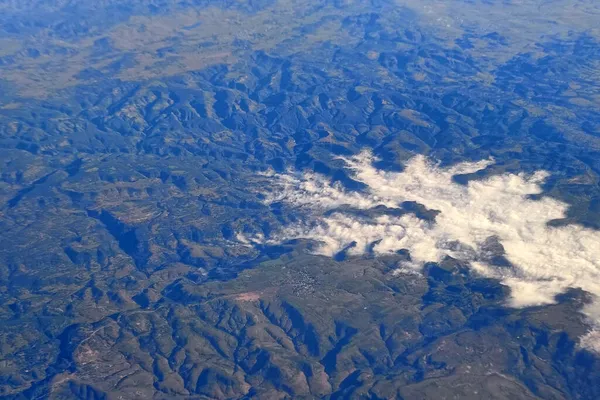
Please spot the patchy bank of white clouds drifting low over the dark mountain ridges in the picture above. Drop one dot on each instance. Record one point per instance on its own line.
(546, 260)
